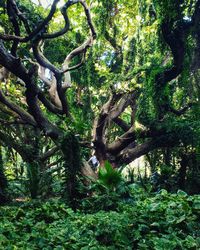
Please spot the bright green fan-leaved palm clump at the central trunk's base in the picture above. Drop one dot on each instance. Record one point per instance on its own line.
(106, 192)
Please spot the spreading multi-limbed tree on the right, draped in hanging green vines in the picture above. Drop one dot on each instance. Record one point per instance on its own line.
(164, 122)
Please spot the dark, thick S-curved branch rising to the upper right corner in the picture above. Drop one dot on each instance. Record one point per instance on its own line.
(175, 39)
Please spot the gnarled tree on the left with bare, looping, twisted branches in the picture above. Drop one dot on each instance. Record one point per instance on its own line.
(29, 72)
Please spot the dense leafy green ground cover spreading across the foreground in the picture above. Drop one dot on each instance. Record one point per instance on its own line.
(165, 221)
